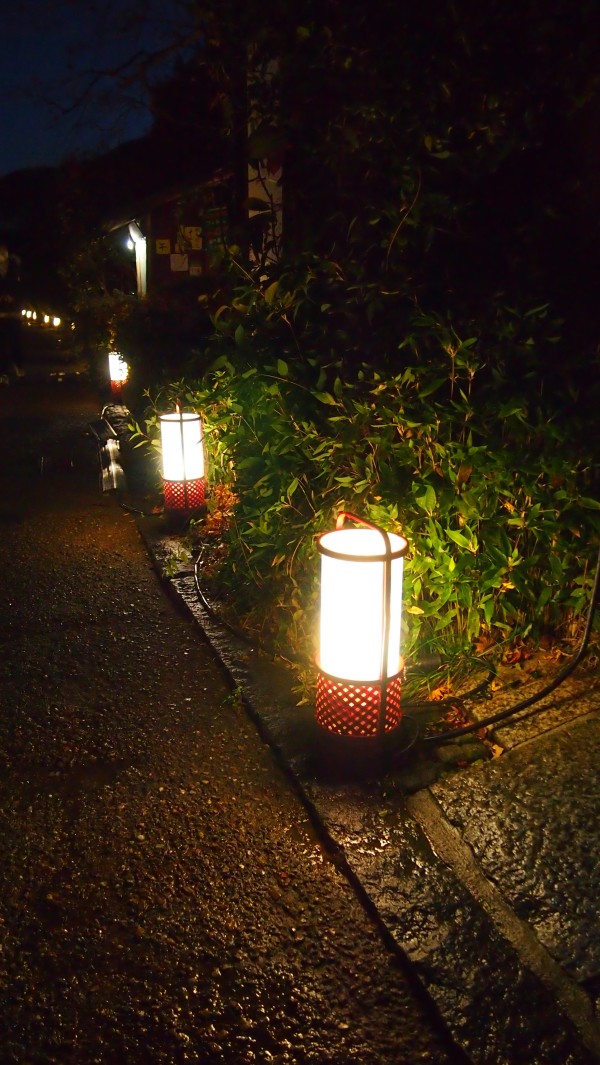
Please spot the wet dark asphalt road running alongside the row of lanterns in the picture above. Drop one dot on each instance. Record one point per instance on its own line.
(164, 896)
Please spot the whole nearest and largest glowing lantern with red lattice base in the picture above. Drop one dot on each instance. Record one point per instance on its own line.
(360, 681)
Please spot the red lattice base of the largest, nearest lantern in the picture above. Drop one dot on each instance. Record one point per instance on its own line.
(354, 710)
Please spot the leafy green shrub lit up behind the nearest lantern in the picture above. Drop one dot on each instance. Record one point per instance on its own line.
(493, 491)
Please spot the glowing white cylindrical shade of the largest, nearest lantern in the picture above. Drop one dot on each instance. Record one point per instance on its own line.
(352, 605)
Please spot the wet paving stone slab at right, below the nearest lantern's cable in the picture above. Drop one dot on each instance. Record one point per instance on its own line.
(531, 820)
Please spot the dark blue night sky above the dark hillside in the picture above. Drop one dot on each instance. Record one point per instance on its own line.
(48, 56)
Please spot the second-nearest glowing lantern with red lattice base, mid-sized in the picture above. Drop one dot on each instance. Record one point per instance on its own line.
(183, 462)
